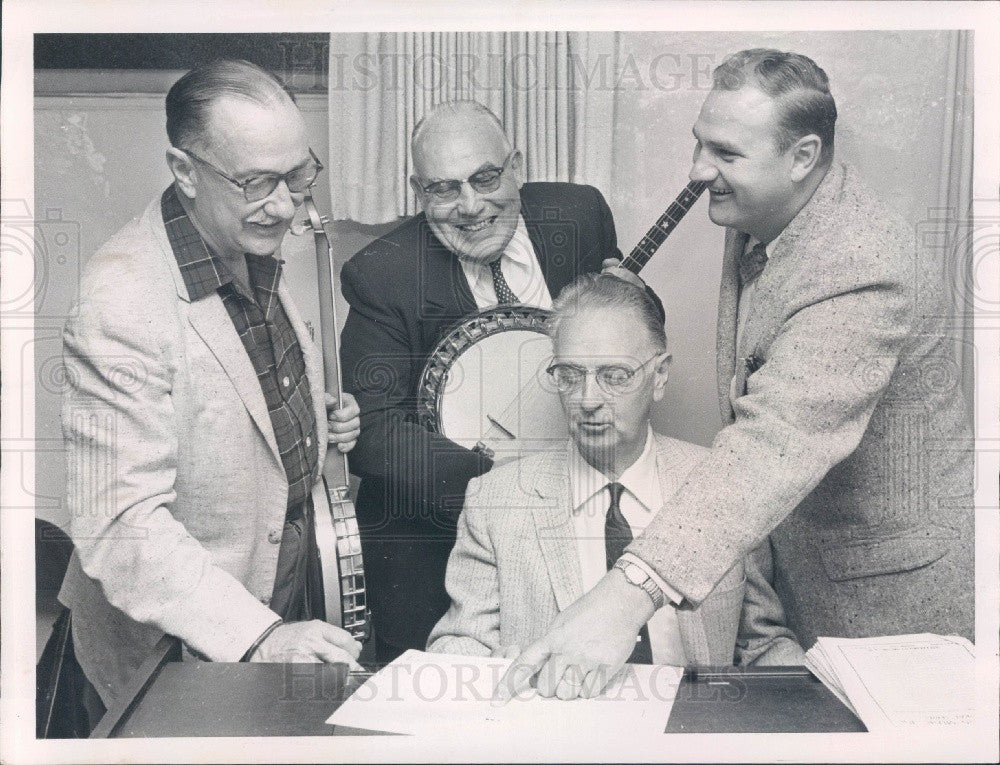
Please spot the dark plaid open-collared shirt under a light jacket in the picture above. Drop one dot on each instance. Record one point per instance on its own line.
(267, 334)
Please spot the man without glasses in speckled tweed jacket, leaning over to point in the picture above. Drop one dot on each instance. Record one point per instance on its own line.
(846, 433)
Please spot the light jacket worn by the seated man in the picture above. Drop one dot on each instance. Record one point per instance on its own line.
(515, 566)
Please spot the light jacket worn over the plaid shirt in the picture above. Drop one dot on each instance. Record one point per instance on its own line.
(176, 490)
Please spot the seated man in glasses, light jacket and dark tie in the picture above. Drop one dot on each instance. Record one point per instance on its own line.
(539, 532)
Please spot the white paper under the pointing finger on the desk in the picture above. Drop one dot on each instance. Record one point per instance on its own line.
(421, 693)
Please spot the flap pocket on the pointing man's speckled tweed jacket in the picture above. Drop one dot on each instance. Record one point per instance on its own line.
(872, 557)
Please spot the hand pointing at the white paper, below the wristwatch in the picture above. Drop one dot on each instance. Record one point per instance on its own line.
(585, 646)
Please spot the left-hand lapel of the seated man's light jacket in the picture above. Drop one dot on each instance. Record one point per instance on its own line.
(555, 531)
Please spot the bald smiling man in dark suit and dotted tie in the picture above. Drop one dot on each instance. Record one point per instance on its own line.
(484, 236)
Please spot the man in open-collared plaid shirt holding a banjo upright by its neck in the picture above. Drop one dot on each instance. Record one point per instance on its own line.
(196, 417)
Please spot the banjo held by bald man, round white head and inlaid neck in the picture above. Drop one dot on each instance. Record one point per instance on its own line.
(485, 385)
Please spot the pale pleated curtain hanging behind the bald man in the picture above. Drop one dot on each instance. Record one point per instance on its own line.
(548, 89)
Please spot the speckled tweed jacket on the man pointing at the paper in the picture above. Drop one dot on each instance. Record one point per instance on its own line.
(846, 430)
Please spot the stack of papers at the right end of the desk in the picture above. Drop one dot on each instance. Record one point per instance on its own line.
(899, 681)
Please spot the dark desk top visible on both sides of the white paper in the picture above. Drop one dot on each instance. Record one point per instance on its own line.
(190, 698)
